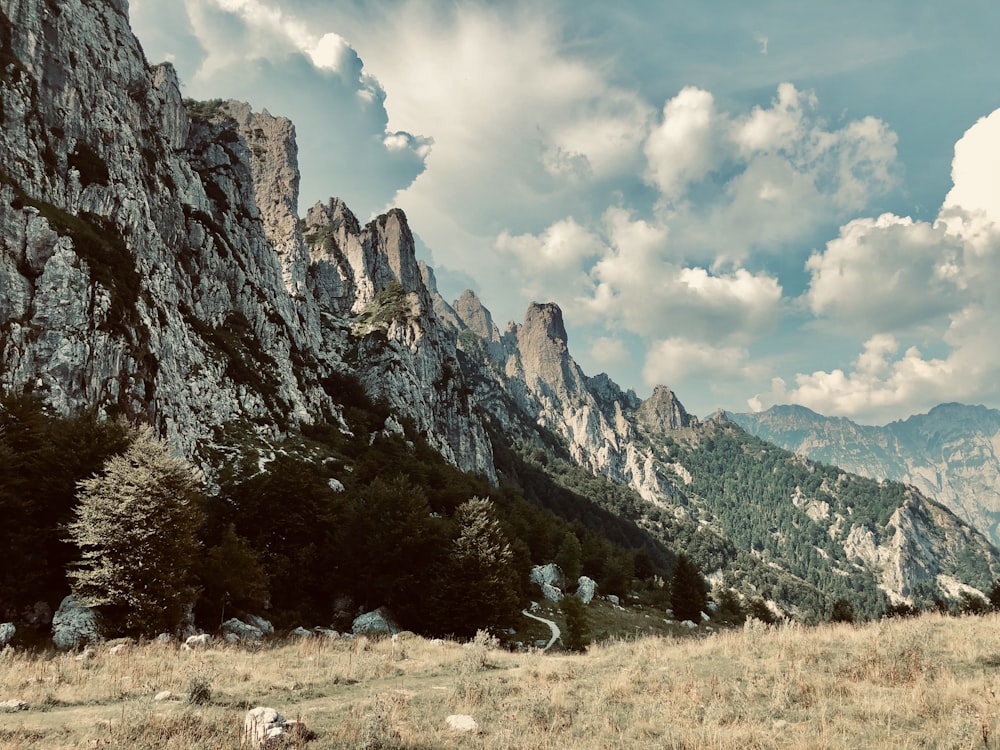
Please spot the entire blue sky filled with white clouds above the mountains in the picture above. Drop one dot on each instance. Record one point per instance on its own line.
(753, 203)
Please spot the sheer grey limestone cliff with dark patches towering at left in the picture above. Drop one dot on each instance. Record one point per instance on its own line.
(151, 261)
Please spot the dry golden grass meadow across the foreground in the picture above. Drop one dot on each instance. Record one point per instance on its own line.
(930, 682)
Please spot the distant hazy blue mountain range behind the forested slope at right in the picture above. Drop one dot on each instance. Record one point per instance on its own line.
(951, 454)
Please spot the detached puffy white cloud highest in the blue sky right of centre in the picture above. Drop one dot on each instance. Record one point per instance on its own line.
(766, 179)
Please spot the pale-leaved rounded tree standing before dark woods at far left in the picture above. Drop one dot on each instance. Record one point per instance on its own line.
(136, 529)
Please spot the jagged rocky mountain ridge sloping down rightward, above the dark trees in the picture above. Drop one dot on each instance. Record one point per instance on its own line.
(152, 265)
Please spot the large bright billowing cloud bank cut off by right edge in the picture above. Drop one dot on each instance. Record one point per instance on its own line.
(900, 282)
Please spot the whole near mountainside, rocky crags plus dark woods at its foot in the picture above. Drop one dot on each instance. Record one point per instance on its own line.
(153, 270)
